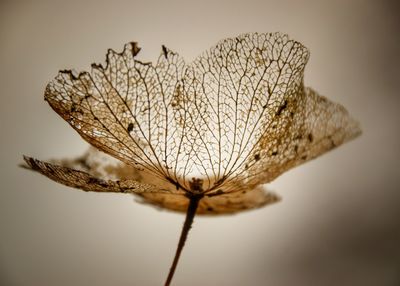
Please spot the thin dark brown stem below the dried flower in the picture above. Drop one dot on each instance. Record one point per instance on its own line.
(190, 213)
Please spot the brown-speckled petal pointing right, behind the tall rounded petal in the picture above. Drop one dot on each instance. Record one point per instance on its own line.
(308, 126)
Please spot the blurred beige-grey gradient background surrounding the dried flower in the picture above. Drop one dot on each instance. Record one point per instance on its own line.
(339, 221)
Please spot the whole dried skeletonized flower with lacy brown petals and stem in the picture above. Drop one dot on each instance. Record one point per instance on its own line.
(200, 137)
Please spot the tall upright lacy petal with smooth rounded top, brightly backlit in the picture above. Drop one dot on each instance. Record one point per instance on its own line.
(232, 94)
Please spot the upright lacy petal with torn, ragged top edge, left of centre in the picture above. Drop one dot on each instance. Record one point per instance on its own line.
(124, 108)
